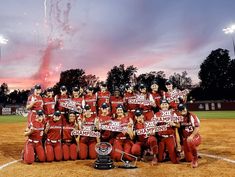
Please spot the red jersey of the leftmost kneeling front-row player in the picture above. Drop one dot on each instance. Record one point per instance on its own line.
(38, 130)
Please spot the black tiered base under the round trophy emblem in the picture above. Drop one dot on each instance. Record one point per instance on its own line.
(103, 162)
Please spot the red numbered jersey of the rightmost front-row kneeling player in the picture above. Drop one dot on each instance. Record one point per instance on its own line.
(189, 123)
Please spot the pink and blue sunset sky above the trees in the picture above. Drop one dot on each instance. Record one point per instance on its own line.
(97, 35)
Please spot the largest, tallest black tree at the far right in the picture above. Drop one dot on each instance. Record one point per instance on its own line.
(214, 75)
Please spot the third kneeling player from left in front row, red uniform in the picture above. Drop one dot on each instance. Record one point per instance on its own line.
(69, 144)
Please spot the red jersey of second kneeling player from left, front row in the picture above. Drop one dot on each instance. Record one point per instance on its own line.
(54, 132)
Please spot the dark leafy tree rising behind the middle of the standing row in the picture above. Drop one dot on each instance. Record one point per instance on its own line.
(119, 75)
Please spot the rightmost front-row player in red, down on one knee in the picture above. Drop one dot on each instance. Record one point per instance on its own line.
(190, 133)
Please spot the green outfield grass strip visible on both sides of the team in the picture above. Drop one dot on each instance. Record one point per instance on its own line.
(200, 114)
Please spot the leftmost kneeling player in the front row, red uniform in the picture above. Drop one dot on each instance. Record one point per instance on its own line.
(33, 145)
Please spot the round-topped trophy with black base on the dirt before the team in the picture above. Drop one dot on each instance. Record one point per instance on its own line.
(103, 162)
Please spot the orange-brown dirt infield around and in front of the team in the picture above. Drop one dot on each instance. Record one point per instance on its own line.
(218, 139)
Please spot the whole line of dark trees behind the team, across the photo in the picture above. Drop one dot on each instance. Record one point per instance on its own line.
(216, 74)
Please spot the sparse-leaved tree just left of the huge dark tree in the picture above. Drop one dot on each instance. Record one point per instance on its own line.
(181, 81)
